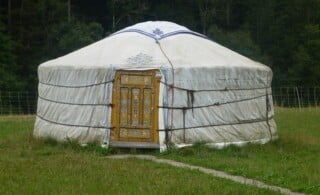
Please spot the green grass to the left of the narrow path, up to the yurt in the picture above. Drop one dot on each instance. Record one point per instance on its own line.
(32, 166)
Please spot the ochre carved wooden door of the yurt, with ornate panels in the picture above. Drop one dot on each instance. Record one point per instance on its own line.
(135, 112)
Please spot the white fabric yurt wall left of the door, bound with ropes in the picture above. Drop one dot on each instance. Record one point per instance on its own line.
(74, 106)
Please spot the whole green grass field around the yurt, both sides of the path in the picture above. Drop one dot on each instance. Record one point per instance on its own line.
(33, 166)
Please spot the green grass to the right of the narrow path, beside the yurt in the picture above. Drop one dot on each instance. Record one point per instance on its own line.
(292, 161)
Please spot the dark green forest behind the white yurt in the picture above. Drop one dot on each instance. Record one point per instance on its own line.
(284, 35)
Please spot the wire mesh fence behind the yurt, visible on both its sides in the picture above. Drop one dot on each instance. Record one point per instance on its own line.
(25, 103)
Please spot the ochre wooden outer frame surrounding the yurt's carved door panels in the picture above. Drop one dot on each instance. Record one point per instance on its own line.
(115, 133)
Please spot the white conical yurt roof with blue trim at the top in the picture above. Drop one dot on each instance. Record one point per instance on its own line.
(152, 45)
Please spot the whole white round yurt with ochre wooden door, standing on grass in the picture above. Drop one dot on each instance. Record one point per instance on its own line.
(152, 85)
